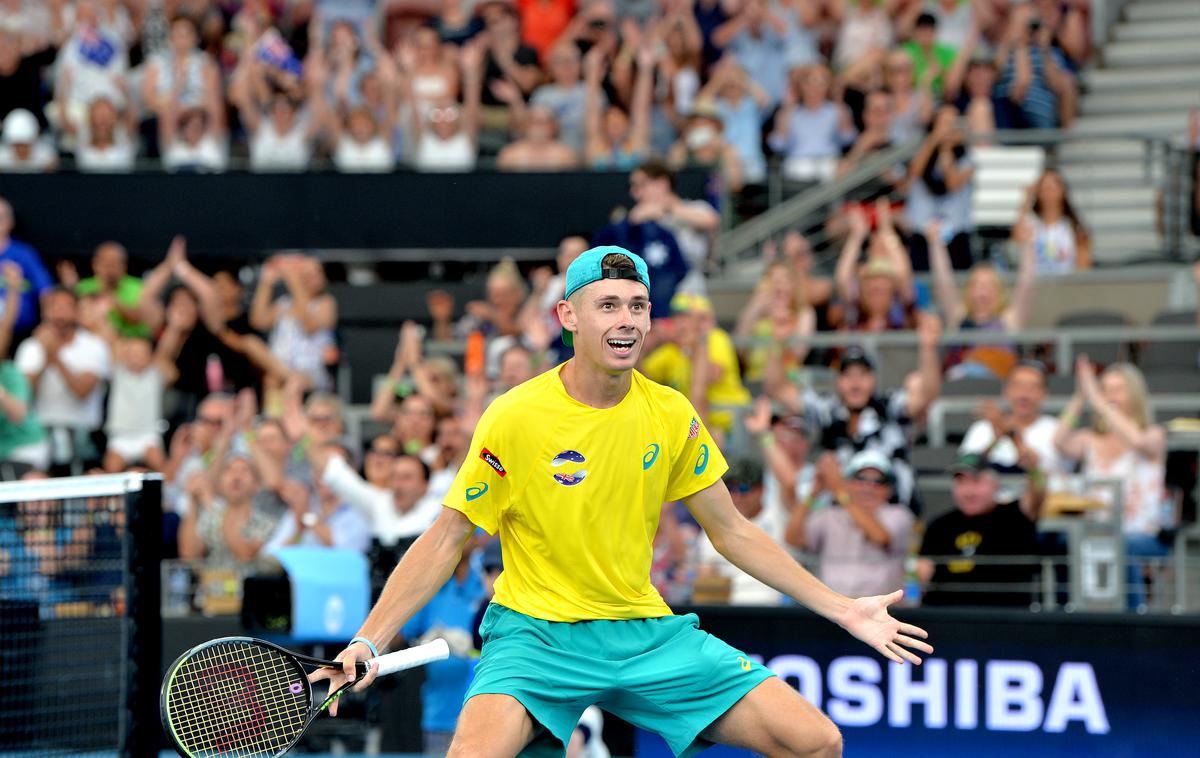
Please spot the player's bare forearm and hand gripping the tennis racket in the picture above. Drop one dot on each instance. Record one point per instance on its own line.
(425, 568)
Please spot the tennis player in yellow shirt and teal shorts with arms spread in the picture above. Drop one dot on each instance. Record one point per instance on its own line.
(572, 468)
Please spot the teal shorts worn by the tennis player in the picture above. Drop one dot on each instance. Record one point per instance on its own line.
(663, 676)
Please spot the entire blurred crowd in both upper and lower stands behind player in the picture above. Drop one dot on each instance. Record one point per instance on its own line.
(233, 381)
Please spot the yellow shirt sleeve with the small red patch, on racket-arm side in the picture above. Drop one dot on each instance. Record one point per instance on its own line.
(483, 488)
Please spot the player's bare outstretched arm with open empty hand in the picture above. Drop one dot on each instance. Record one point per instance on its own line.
(753, 551)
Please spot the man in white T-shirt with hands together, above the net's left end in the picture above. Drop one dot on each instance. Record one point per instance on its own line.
(68, 368)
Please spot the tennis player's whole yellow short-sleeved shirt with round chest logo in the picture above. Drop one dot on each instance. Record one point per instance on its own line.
(575, 494)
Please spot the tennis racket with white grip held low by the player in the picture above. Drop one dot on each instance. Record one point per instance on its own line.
(239, 697)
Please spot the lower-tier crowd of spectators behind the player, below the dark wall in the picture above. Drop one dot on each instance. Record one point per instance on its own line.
(226, 383)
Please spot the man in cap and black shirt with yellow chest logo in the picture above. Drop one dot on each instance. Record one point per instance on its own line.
(999, 534)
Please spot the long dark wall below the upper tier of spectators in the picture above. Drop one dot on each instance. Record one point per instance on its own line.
(247, 215)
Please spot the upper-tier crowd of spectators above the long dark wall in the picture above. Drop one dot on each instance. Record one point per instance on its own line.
(370, 86)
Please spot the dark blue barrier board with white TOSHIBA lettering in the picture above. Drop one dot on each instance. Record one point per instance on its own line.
(999, 684)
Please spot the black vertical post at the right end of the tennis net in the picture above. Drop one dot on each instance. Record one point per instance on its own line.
(141, 733)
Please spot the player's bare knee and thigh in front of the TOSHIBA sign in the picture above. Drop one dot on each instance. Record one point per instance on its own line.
(776, 721)
